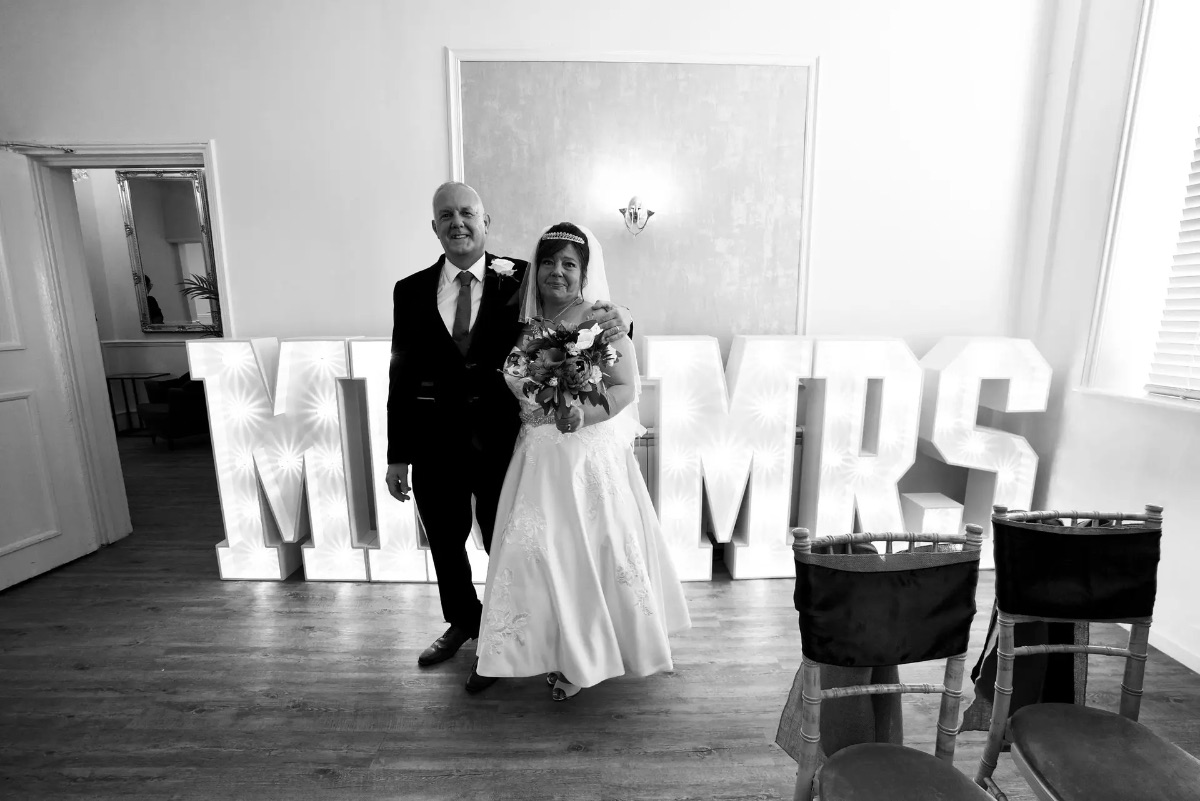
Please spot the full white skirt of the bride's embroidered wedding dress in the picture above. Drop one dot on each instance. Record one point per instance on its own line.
(579, 581)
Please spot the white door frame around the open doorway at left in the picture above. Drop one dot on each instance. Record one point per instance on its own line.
(75, 314)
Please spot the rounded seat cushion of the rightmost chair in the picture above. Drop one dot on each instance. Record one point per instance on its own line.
(1091, 754)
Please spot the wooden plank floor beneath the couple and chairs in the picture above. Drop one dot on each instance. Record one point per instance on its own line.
(136, 673)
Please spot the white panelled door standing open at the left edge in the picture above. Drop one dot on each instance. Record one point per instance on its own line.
(46, 516)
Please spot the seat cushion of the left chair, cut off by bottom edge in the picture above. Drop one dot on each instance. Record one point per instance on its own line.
(880, 770)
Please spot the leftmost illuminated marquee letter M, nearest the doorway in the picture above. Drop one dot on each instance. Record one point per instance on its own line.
(277, 432)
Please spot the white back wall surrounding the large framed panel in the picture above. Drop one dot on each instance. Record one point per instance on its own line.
(332, 135)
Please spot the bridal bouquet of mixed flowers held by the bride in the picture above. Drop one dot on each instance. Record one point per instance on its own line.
(560, 365)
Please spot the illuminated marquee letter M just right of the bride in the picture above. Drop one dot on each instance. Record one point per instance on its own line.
(725, 438)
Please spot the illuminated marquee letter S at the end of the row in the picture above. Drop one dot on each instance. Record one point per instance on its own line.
(1004, 467)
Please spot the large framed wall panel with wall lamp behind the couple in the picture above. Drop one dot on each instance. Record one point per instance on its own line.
(722, 153)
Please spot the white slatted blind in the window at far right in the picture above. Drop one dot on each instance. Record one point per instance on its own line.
(1175, 369)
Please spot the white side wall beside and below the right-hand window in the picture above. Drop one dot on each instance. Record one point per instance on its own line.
(1103, 451)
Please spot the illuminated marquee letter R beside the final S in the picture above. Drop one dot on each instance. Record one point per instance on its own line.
(843, 469)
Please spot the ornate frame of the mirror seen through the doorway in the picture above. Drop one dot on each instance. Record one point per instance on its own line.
(200, 190)
